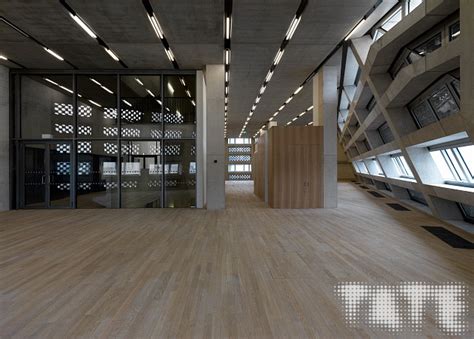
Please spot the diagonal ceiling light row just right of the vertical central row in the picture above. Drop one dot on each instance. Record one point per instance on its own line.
(289, 34)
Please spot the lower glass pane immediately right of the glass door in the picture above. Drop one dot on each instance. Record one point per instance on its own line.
(97, 177)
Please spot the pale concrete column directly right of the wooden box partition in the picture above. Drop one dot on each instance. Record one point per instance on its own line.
(325, 114)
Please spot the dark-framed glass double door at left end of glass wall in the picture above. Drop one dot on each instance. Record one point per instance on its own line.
(46, 178)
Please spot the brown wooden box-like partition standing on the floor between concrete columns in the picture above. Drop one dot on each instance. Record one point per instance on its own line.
(295, 167)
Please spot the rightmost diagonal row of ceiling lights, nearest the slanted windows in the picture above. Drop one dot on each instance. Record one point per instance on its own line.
(312, 74)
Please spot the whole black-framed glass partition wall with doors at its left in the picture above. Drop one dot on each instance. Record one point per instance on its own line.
(105, 140)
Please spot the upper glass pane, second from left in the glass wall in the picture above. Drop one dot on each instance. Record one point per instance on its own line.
(97, 106)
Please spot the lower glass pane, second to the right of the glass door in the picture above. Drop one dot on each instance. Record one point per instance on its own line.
(141, 174)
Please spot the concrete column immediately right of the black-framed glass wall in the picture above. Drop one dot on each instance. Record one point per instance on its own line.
(215, 142)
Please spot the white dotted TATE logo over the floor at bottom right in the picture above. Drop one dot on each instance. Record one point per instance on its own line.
(404, 306)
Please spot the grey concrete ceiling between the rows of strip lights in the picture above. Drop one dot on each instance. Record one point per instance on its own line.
(194, 30)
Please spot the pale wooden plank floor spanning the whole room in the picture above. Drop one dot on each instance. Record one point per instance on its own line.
(248, 271)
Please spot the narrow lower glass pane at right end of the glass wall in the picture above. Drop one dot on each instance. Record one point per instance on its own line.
(180, 177)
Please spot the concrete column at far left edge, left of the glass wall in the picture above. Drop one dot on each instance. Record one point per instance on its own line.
(4, 139)
